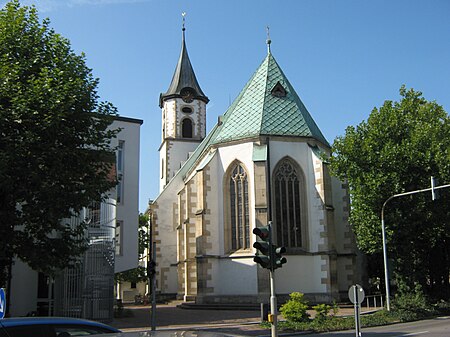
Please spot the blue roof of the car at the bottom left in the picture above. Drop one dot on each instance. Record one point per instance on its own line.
(15, 321)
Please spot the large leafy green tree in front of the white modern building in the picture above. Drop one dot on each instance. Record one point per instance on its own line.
(55, 153)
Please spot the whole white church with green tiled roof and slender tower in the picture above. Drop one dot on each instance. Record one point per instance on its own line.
(264, 160)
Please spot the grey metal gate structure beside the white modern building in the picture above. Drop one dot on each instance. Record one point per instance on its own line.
(86, 290)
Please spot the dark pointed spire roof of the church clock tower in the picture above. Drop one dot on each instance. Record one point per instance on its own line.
(184, 77)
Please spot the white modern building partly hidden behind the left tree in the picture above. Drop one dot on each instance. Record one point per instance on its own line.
(87, 291)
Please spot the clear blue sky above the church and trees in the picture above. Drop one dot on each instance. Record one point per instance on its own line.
(343, 57)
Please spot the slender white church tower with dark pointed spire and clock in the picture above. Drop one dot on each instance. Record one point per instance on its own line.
(183, 117)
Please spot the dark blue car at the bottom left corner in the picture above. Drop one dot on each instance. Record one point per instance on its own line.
(51, 327)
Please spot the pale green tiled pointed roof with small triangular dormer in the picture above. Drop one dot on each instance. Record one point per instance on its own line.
(258, 112)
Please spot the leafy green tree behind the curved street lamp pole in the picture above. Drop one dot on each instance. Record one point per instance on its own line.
(396, 150)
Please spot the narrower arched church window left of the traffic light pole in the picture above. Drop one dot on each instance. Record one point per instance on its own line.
(239, 211)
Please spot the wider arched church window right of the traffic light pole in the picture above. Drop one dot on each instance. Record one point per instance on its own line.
(289, 193)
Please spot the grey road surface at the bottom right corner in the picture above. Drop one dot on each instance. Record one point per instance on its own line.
(438, 327)
